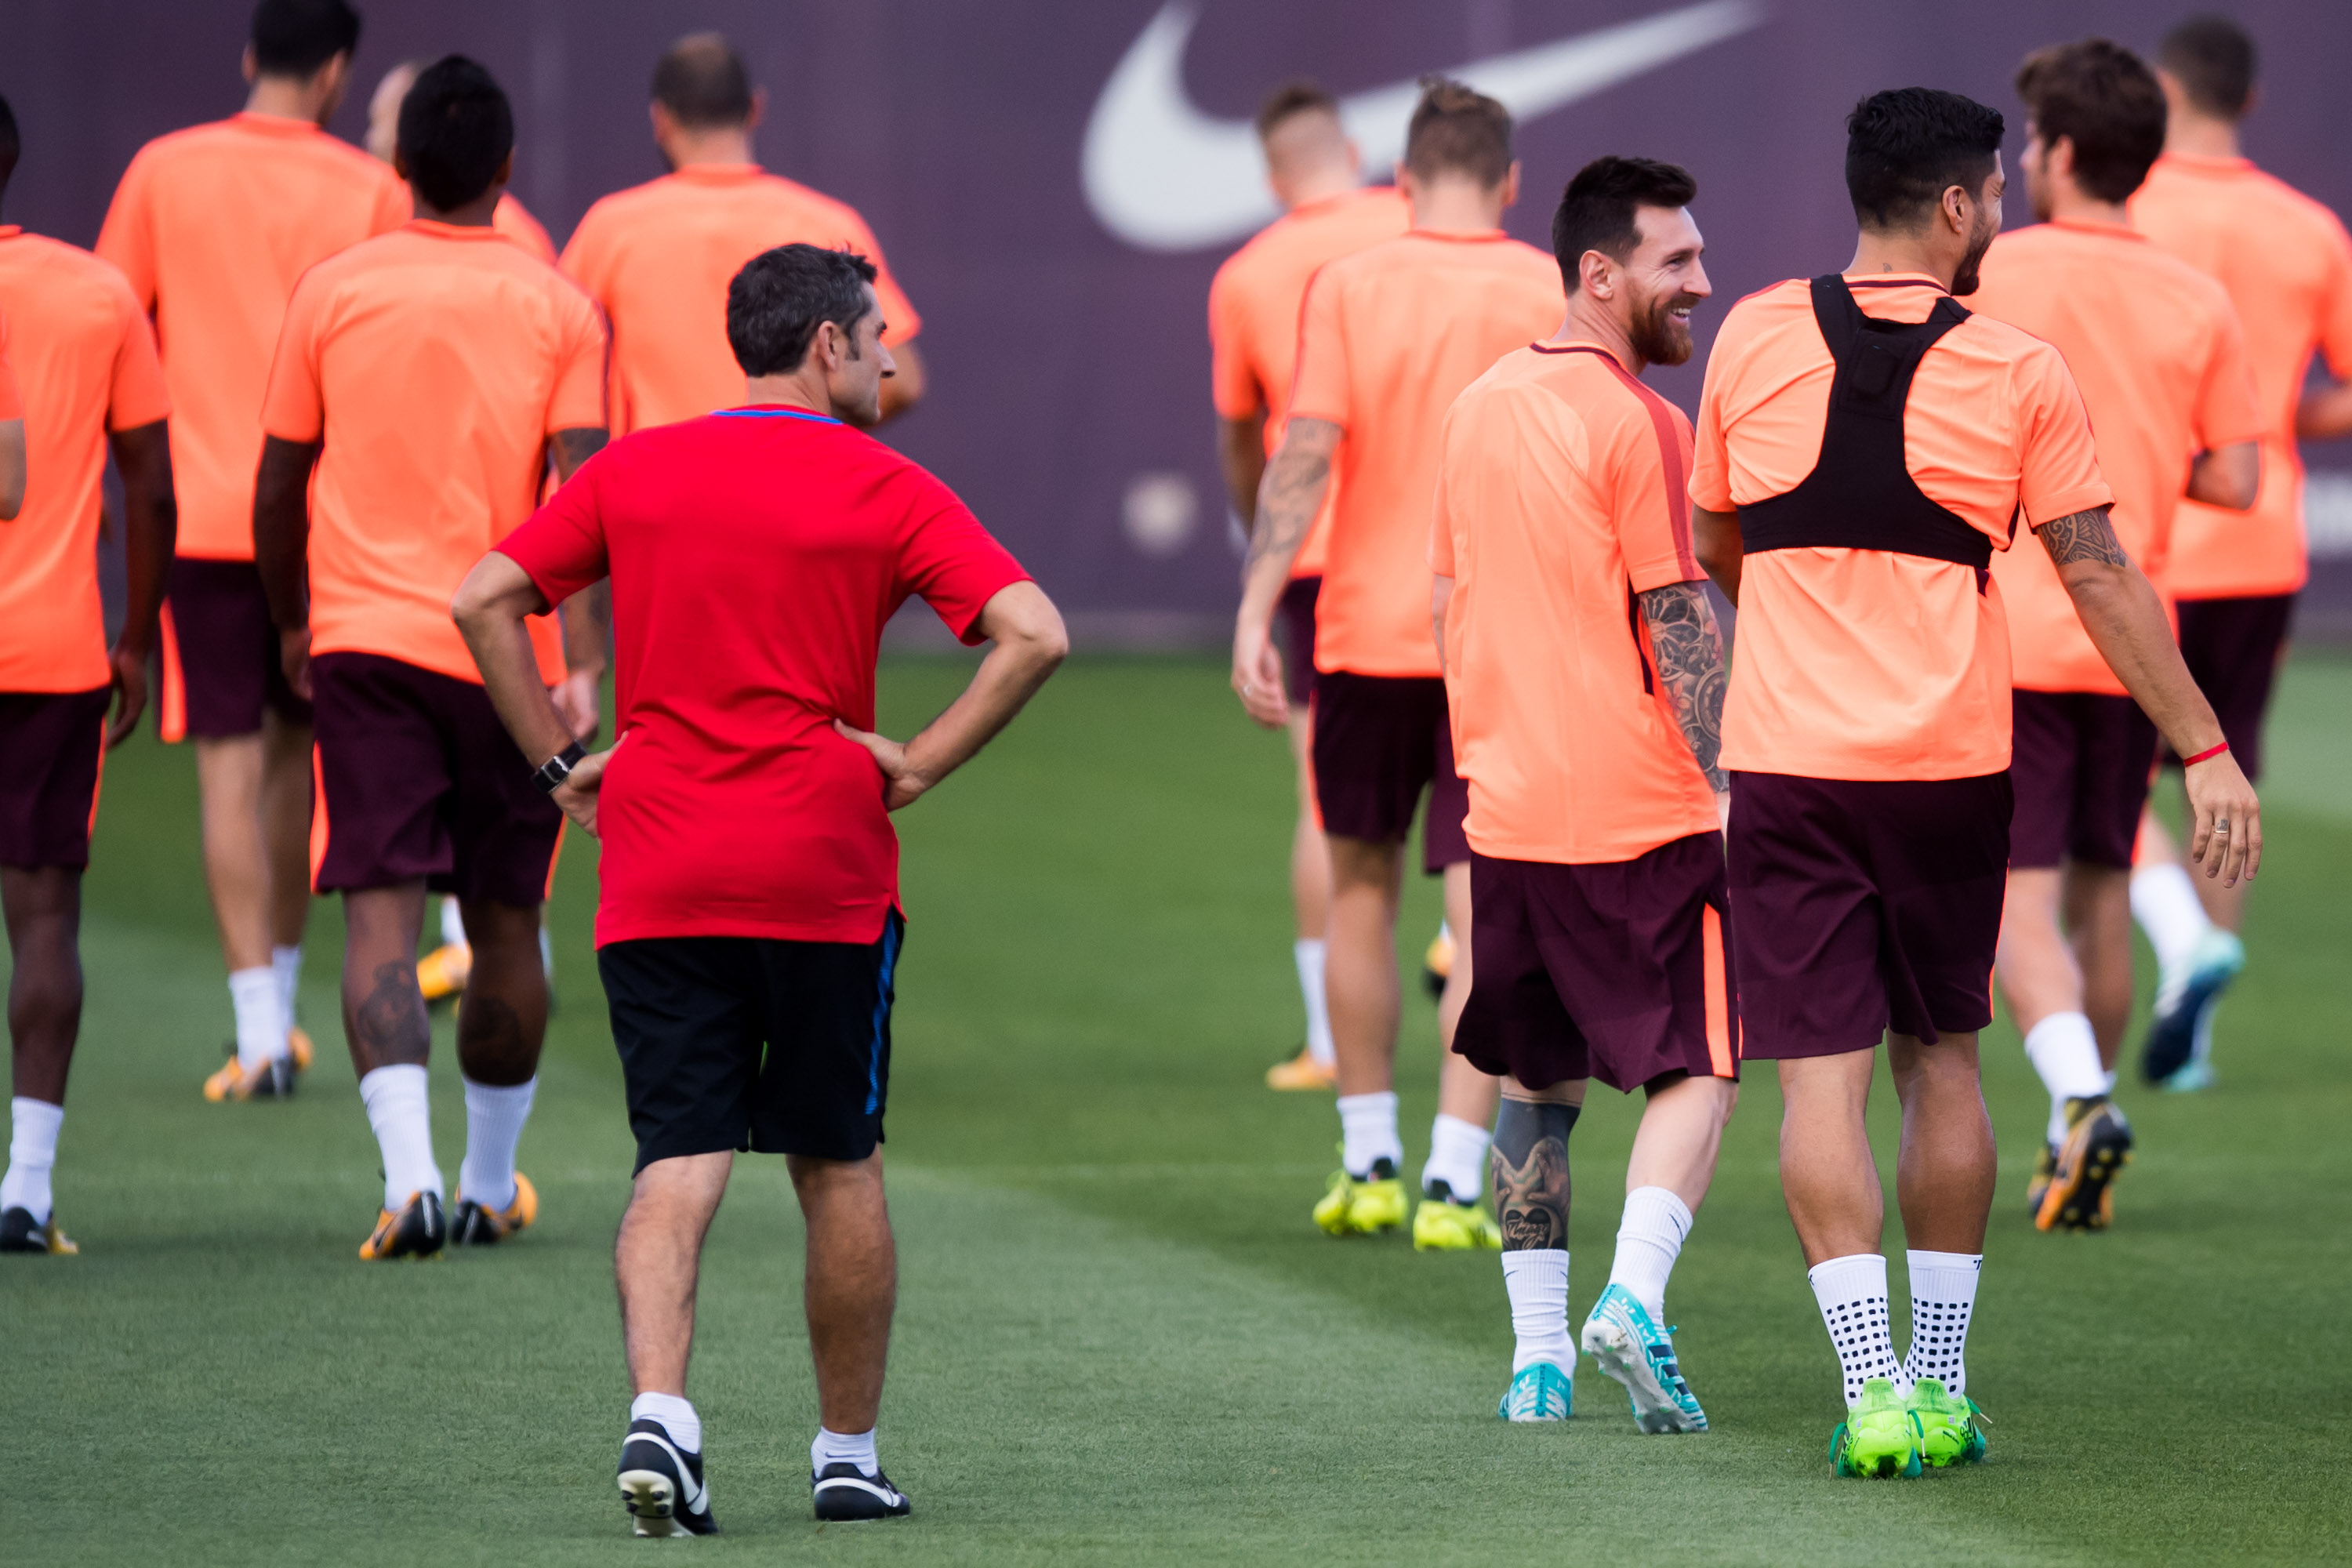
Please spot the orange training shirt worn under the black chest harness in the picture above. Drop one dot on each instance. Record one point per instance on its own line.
(1869, 664)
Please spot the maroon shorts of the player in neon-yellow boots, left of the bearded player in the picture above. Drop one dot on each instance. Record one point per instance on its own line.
(1379, 744)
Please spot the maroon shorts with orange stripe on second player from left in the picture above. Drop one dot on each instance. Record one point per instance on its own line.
(220, 655)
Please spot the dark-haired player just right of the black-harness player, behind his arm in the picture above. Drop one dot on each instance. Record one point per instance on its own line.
(2160, 363)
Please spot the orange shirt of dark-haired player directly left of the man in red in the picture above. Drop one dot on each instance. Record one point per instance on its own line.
(434, 363)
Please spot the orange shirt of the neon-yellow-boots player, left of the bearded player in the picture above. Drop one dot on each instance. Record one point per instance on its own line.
(1387, 344)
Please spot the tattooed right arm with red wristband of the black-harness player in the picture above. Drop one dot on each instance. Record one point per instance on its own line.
(2132, 634)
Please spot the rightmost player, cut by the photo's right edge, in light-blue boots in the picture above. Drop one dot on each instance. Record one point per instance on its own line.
(2287, 267)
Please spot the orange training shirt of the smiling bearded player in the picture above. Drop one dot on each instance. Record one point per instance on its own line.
(1561, 497)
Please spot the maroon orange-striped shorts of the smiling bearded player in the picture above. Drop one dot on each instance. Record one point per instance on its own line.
(1615, 972)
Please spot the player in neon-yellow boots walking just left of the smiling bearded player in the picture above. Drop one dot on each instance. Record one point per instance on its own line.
(1389, 337)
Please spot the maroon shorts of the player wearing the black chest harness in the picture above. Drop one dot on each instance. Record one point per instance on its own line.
(1864, 909)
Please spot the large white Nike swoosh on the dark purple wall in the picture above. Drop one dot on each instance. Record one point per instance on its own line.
(1168, 177)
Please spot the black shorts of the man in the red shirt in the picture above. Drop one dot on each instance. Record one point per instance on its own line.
(742, 1043)
